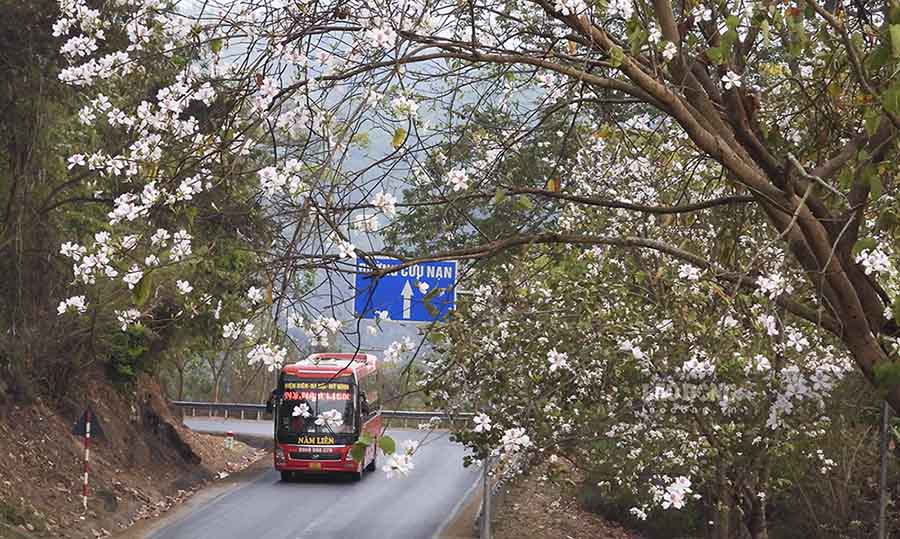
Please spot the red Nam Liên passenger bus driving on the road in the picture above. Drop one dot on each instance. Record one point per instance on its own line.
(320, 408)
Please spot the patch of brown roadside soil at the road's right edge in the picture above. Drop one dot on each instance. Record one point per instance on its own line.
(542, 504)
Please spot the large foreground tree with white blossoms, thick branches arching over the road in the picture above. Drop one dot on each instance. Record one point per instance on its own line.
(783, 115)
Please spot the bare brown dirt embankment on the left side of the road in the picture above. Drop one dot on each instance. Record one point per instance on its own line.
(144, 464)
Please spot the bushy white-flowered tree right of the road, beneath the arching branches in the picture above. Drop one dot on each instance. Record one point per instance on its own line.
(667, 391)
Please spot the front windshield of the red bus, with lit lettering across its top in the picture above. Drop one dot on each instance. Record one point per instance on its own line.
(316, 407)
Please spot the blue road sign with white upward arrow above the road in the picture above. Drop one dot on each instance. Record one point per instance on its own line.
(408, 294)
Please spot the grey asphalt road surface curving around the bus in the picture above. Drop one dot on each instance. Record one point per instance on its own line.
(263, 507)
